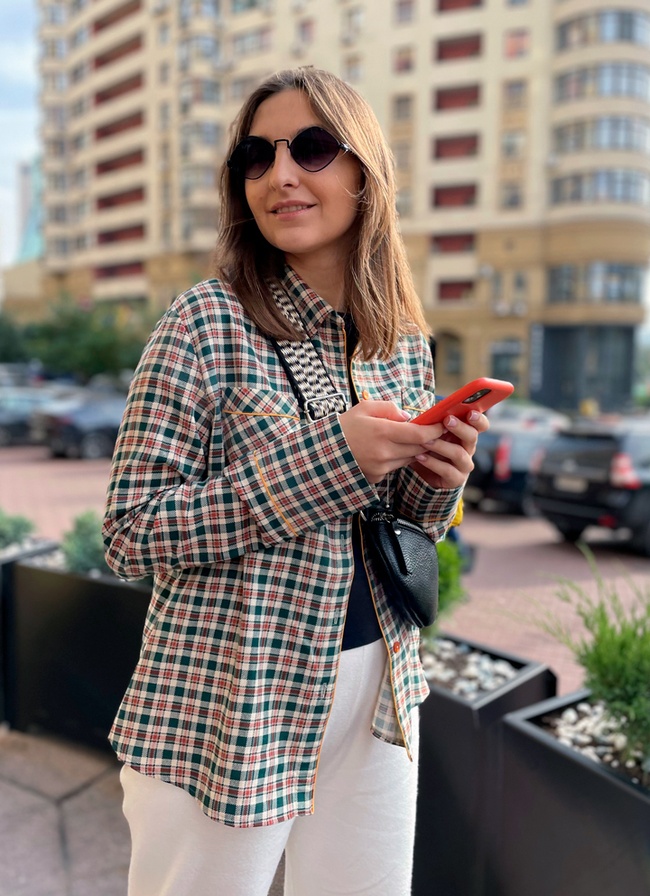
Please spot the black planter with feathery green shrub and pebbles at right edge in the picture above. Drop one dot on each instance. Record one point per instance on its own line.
(576, 805)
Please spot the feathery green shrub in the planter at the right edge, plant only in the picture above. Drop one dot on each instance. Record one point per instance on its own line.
(614, 652)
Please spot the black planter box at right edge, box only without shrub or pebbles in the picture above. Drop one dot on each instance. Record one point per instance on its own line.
(569, 825)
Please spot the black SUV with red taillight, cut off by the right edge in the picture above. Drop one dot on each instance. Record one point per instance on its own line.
(597, 474)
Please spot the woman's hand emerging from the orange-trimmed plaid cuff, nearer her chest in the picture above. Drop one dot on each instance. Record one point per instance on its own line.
(381, 439)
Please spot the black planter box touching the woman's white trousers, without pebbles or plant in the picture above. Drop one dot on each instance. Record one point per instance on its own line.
(458, 789)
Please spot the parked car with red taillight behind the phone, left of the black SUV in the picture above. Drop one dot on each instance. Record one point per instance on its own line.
(505, 455)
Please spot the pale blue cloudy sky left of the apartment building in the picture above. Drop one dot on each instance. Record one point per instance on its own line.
(18, 112)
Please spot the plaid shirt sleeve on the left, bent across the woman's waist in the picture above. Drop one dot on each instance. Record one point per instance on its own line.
(165, 512)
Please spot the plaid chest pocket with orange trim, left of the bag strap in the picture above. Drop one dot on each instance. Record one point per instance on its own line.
(252, 417)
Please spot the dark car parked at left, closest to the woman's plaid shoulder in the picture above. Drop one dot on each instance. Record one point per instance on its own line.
(85, 427)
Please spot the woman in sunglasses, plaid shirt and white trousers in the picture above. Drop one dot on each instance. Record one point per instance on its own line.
(272, 653)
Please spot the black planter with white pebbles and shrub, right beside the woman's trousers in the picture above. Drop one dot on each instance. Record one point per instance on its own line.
(472, 687)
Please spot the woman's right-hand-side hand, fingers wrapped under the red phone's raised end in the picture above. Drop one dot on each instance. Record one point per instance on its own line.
(447, 461)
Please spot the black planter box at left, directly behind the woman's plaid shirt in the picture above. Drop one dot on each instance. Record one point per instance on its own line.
(73, 643)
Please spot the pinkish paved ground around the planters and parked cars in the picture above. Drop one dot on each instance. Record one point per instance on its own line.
(62, 832)
